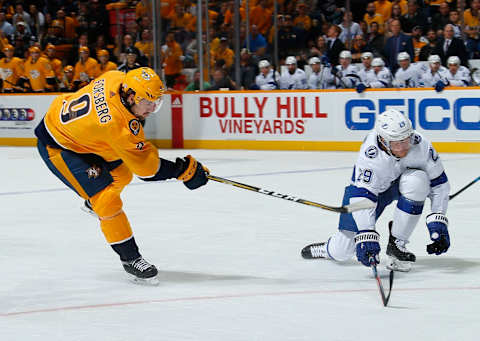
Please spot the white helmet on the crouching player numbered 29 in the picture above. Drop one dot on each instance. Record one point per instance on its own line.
(392, 125)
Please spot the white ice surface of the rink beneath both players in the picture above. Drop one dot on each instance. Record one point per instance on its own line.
(229, 259)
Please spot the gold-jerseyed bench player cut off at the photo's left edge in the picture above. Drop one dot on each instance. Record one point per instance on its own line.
(12, 73)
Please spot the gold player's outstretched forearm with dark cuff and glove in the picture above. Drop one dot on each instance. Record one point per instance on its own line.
(187, 169)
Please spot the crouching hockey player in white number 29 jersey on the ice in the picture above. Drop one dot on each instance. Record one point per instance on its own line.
(394, 163)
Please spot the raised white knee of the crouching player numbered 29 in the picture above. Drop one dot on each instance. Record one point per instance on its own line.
(415, 185)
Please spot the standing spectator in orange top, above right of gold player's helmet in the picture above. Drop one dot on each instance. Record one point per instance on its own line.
(172, 56)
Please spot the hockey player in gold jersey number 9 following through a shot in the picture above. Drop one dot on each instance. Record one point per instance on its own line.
(94, 142)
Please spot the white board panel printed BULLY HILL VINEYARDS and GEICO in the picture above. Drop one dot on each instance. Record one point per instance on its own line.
(328, 116)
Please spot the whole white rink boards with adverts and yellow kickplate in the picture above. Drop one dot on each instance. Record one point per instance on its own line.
(280, 120)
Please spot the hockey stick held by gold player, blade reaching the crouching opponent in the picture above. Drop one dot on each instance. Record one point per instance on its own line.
(361, 205)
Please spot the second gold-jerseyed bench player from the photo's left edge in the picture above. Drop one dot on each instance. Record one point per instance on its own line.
(38, 71)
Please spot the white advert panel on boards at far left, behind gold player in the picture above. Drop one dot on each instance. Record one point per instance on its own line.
(19, 114)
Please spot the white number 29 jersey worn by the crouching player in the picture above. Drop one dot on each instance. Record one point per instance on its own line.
(375, 171)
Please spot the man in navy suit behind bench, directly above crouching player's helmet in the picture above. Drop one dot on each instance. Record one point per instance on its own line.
(398, 42)
